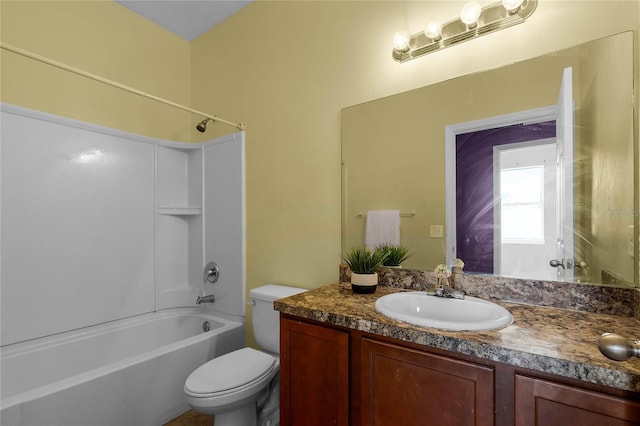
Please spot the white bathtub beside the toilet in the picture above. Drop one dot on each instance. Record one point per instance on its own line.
(126, 372)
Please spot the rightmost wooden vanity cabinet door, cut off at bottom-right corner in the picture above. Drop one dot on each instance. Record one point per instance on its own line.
(544, 403)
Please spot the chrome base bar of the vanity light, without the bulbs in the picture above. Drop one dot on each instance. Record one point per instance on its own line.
(492, 18)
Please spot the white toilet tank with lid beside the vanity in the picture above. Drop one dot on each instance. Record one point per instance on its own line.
(266, 320)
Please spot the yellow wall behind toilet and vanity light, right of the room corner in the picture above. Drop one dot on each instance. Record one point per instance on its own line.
(287, 69)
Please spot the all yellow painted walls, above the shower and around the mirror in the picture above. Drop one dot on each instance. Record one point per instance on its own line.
(286, 68)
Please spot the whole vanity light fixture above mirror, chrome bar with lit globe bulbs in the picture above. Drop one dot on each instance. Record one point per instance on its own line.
(474, 21)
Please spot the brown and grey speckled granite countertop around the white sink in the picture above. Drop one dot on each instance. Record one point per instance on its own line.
(550, 340)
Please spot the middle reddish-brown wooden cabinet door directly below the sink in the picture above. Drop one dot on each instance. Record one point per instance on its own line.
(402, 386)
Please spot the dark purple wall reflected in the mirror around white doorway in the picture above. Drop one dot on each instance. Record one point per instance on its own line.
(474, 197)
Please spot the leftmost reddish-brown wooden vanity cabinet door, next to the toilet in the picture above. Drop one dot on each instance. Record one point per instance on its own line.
(314, 375)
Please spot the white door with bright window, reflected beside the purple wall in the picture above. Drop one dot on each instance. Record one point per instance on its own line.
(525, 213)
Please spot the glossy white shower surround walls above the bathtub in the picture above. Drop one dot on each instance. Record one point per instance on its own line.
(101, 226)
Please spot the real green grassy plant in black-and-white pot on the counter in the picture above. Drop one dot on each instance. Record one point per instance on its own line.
(364, 264)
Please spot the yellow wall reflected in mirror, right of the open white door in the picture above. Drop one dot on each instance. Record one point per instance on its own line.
(602, 126)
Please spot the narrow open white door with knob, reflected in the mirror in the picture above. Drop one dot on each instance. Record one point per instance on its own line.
(564, 261)
